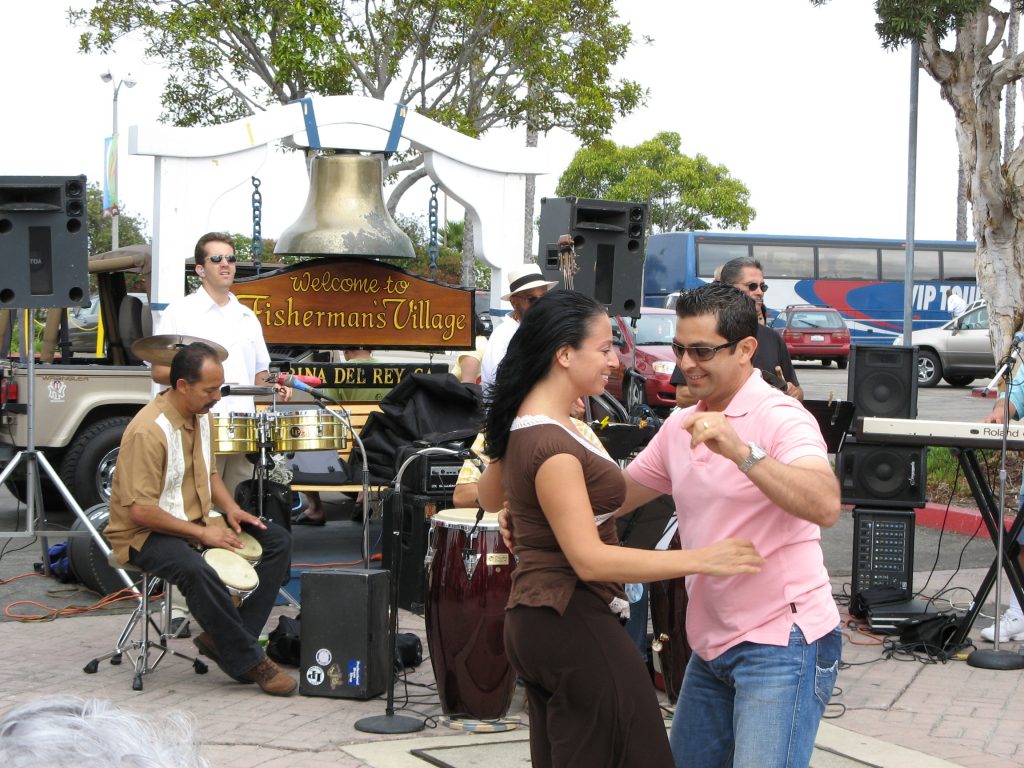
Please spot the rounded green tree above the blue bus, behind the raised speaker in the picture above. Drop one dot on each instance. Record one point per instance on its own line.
(684, 193)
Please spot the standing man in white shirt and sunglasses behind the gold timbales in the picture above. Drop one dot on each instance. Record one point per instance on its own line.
(214, 313)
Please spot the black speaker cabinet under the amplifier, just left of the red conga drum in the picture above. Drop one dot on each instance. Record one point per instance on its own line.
(417, 509)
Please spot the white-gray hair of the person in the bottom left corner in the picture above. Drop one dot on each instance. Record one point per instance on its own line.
(73, 733)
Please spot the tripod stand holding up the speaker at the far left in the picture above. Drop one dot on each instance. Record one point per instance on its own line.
(36, 461)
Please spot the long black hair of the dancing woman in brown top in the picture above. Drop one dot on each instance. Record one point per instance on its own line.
(560, 319)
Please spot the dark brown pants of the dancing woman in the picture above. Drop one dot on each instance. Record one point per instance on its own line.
(591, 700)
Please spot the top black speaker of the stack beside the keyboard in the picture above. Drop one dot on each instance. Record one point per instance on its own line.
(883, 381)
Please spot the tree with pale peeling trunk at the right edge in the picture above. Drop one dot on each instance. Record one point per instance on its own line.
(962, 49)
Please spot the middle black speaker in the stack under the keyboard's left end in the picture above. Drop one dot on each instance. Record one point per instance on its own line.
(883, 476)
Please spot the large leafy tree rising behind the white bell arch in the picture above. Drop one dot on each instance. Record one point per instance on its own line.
(471, 65)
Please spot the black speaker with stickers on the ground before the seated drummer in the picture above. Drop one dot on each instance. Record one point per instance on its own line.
(345, 634)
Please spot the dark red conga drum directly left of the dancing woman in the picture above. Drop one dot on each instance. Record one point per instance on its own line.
(470, 579)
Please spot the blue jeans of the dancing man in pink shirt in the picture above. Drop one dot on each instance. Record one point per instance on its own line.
(756, 706)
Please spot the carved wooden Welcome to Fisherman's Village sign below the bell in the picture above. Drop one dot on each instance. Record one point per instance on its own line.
(347, 303)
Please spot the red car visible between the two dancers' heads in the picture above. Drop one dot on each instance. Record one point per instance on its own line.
(646, 352)
